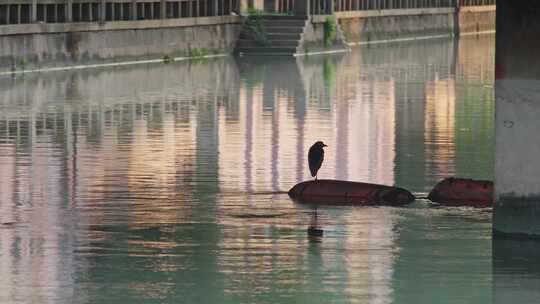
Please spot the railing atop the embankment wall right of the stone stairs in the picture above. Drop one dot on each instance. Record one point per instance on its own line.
(323, 7)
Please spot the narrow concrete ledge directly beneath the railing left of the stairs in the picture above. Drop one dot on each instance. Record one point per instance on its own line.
(46, 28)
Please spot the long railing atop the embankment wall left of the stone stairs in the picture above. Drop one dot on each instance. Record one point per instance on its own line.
(27, 11)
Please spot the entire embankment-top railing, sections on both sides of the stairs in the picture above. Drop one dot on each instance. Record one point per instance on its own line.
(60, 11)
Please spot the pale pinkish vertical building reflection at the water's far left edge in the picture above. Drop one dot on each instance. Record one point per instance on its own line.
(30, 203)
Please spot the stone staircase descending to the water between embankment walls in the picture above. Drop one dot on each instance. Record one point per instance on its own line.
(284, 34)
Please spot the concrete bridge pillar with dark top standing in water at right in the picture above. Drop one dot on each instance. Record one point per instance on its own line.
(517, 119)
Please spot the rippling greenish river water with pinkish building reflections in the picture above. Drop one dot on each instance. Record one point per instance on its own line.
(162, 183)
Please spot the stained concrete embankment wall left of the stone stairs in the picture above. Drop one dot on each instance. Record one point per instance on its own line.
(52, 45)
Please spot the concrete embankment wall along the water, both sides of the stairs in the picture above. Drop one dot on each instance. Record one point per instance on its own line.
(25, 47)
